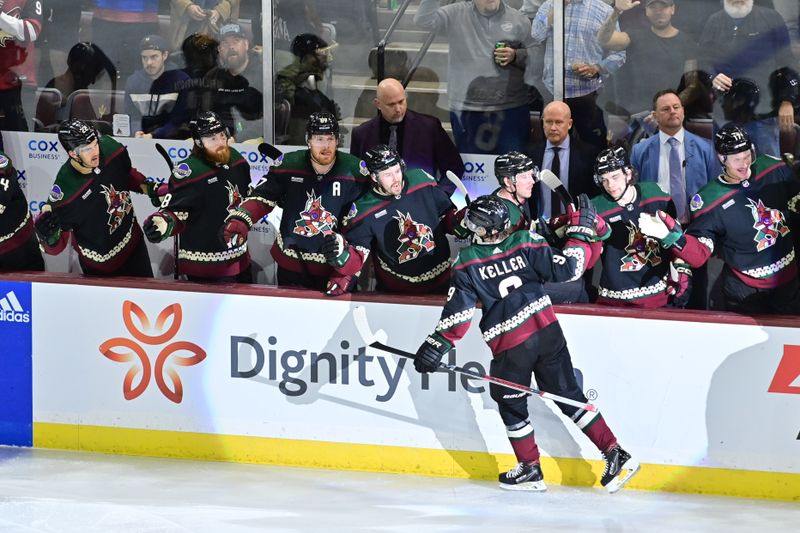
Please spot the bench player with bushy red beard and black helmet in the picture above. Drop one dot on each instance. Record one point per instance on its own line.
(202, 191)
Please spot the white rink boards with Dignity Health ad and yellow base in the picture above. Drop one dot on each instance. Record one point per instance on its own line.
(260, 375)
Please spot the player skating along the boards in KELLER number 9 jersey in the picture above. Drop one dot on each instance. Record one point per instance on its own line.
(504, 270)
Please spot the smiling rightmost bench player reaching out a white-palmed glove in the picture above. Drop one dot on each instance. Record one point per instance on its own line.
(744, 214)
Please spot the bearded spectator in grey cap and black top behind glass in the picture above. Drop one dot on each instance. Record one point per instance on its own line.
(234, 85)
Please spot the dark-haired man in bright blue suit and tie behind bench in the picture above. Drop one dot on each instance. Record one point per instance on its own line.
(681, 163)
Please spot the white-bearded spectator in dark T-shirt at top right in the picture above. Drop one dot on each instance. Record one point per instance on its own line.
(747, 41)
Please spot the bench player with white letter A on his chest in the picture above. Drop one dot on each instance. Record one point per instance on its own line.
(315, 188)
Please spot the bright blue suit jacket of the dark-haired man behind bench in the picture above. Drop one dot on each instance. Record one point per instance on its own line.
(702, 164)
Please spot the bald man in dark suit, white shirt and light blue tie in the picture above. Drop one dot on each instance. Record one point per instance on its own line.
(573, 164)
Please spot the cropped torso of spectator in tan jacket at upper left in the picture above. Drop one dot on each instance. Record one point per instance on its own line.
(202, 16)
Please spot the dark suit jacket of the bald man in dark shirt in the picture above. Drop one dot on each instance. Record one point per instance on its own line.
(425, 145)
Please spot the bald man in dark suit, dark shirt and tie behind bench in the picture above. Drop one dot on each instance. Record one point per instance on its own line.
(418, 138)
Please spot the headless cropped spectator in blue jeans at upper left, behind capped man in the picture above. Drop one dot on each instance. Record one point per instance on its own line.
(112, 20)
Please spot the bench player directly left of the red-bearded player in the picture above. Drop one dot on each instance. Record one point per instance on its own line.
(91, 201)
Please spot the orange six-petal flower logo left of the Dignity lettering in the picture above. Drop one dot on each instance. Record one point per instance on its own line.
(126, 350)
